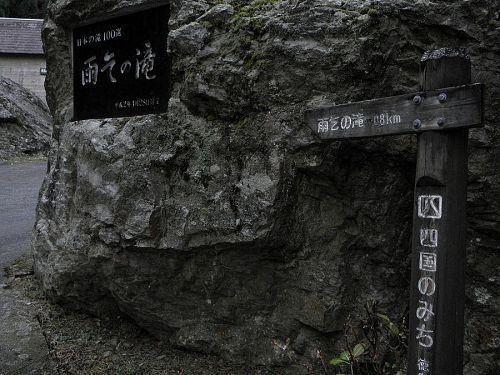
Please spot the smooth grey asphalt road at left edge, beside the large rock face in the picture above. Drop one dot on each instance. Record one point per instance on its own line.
(19, 186)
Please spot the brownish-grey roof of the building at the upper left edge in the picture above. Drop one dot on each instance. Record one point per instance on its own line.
(21, 36)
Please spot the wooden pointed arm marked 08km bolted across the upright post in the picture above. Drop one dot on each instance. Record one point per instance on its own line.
(447, 108)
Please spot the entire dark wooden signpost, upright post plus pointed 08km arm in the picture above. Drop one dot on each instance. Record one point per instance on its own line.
(440, 114)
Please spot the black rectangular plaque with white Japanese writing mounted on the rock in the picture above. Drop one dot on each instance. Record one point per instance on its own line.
(121, 67)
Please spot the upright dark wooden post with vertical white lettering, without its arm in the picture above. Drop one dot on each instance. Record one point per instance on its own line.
(437, 293)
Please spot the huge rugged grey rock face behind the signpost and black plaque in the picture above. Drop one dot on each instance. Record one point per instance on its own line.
(224, 225)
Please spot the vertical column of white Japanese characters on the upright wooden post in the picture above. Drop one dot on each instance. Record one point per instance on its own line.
(430, 211)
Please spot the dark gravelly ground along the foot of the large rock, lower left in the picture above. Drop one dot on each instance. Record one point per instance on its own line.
(82, 344)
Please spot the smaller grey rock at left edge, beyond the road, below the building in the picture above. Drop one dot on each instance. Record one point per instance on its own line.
(25, 121)
